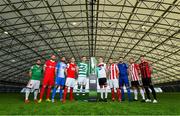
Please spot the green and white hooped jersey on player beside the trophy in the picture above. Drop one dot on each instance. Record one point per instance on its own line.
(83, 69)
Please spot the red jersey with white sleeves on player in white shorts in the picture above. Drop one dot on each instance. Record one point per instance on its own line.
(71, 70)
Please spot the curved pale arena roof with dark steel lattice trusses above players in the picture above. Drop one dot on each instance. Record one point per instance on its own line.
(33, 29)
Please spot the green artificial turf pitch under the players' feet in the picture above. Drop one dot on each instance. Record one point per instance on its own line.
(13, 103)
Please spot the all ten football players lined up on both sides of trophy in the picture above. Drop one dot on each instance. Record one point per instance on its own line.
(116, 73)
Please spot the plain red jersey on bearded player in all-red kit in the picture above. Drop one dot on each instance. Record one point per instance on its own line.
(49, 69)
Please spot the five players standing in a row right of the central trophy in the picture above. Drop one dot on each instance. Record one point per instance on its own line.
(119, 75)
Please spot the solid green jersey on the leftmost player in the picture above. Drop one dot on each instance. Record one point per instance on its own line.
(36, 72)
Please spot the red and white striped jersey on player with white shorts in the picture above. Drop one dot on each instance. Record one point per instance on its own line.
(113, 69)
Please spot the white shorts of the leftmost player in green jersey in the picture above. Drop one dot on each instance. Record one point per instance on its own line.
(33, 84)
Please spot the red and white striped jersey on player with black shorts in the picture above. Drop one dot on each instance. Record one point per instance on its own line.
(133, 71)
